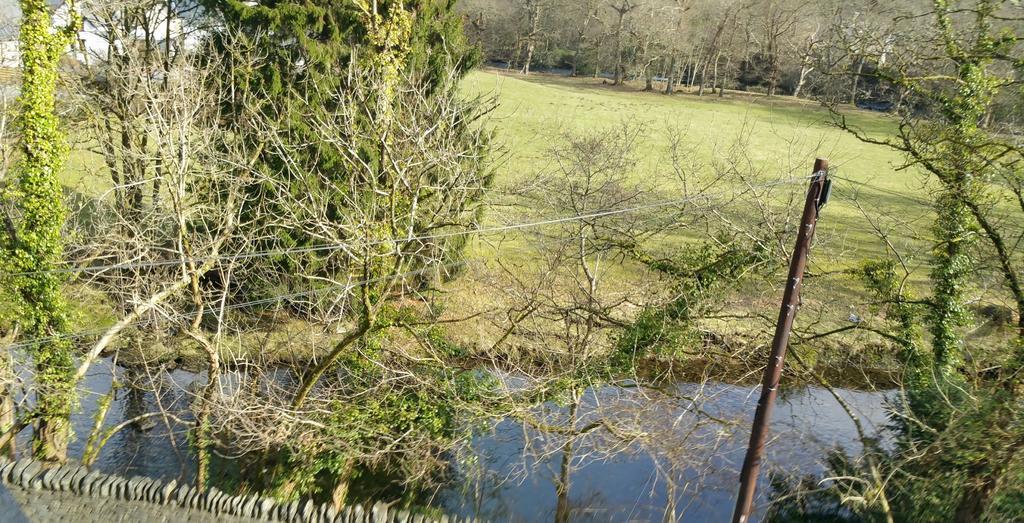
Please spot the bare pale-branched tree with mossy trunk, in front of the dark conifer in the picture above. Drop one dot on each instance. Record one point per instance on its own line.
(405, 210)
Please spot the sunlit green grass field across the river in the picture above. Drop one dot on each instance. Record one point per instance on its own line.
(782, 137)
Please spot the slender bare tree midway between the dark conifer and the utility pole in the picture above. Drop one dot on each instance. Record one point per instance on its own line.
(569, 308)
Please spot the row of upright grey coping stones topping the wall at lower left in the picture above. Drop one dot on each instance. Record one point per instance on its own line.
(79, 481)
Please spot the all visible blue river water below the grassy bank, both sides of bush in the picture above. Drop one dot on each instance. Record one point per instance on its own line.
(519, 486)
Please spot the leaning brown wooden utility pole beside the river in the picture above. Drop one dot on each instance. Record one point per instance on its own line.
(818, 195)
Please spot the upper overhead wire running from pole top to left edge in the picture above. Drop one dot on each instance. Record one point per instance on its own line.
(440, 236)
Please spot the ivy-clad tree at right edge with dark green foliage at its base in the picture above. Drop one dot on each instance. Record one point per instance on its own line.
(957, 438)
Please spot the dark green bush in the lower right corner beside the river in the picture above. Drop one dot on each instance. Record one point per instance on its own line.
(933, 486)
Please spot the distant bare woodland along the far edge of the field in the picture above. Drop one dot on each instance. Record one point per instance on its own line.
(778, 48)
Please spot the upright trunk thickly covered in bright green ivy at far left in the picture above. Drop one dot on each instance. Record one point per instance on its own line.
(34, 246)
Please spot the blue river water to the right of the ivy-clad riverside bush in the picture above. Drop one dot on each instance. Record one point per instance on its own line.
(626, 488)
